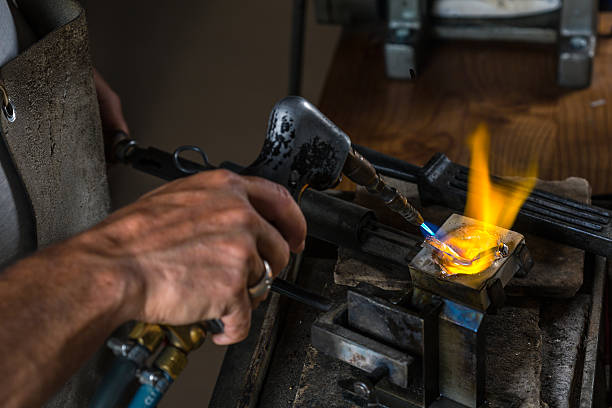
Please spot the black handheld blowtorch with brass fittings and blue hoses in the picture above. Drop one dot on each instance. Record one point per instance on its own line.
(302, 149)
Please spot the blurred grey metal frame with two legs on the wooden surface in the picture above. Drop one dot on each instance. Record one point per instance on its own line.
(571, 24)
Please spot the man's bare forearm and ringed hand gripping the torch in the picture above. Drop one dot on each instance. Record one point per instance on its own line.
(183, 253)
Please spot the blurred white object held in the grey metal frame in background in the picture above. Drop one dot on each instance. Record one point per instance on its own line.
(493, 8)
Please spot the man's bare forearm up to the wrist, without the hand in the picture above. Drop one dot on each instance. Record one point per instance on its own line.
(56, 309)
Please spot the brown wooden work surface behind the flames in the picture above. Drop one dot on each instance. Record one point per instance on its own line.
(511, 87)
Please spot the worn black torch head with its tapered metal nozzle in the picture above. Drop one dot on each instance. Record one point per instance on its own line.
(304, 148)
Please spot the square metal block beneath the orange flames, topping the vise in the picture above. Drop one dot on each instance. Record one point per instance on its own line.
(478, 291)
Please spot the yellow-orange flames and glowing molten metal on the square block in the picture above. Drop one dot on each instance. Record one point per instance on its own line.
(472, 249)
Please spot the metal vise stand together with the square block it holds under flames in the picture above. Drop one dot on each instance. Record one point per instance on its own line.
(427, 338)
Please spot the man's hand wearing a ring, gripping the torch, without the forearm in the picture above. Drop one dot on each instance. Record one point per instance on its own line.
(191, 248)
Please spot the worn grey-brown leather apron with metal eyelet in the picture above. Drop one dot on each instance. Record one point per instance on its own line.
(55, 141)
